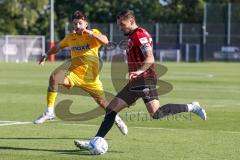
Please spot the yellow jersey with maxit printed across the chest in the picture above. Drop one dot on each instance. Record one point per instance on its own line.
(84, 55)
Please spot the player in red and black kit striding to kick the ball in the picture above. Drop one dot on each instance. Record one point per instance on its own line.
(142, 79)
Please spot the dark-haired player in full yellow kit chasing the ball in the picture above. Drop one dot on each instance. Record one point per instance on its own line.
(84, 69)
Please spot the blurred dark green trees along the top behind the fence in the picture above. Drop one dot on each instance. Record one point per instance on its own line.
(31, 17)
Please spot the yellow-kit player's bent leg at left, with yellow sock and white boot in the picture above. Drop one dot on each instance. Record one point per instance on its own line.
(57, 78)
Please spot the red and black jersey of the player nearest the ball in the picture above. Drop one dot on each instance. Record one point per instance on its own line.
(138, 39)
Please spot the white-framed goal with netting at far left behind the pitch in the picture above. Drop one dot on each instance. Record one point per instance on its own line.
(21, 48)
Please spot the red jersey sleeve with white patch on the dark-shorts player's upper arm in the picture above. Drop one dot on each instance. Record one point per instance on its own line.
(144, 42)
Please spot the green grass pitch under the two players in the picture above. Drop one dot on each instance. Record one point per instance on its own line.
(185, 137)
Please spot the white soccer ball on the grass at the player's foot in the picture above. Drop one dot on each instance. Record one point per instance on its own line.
(98, 145)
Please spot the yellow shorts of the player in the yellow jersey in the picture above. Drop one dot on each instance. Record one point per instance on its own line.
(94, 88)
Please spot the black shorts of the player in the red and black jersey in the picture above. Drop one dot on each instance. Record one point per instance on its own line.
(139, 88)
